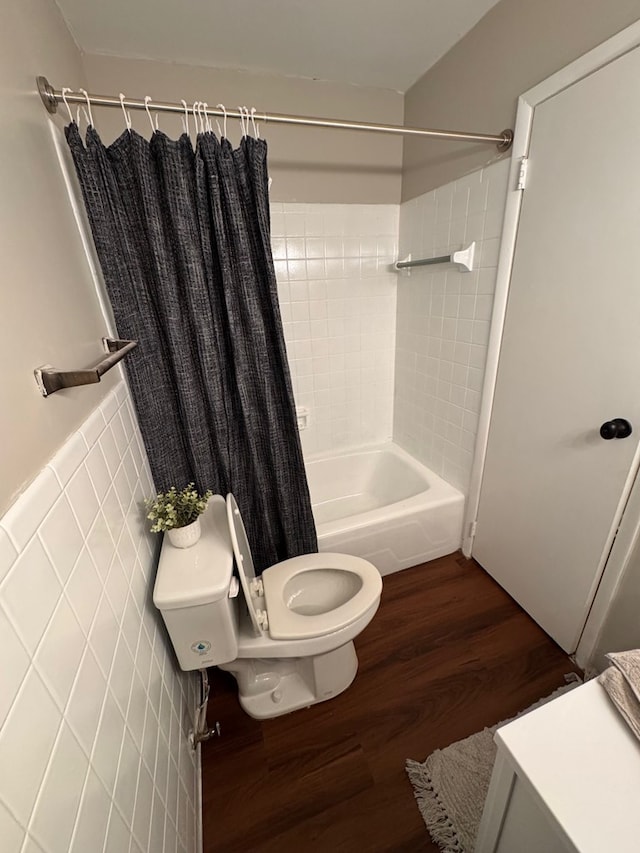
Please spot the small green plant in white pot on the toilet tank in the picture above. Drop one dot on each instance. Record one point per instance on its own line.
(177, 513)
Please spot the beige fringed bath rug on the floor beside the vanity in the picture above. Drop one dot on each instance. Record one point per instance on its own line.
(450, 787)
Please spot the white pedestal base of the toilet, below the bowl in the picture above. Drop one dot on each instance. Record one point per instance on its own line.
(270, 687)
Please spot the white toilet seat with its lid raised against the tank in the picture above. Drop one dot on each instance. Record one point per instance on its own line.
(270, 598)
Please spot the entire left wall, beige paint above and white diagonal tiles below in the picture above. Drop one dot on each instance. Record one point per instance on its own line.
(92, 712)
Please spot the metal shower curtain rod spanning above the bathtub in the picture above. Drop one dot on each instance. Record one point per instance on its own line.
(52, 97)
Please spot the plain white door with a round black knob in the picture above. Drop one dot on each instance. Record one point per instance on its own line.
(570, 358)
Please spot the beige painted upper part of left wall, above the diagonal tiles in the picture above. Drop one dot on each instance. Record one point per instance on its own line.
(49, 312)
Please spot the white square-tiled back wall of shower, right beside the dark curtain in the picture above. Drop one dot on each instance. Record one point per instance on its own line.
(338, 302)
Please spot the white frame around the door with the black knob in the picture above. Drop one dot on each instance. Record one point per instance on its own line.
(610, 50)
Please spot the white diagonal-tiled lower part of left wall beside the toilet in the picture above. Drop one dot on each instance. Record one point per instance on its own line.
(93, 753)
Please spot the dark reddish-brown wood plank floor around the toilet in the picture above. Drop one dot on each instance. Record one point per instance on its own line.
(448, 653)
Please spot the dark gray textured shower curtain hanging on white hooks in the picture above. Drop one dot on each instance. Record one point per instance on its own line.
(183, 238)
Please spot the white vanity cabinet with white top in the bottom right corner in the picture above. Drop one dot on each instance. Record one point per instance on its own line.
(566, 780)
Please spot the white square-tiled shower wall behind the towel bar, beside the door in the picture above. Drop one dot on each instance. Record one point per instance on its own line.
(443, 320)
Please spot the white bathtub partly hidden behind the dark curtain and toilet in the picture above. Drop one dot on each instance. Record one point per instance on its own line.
(382, 504)
